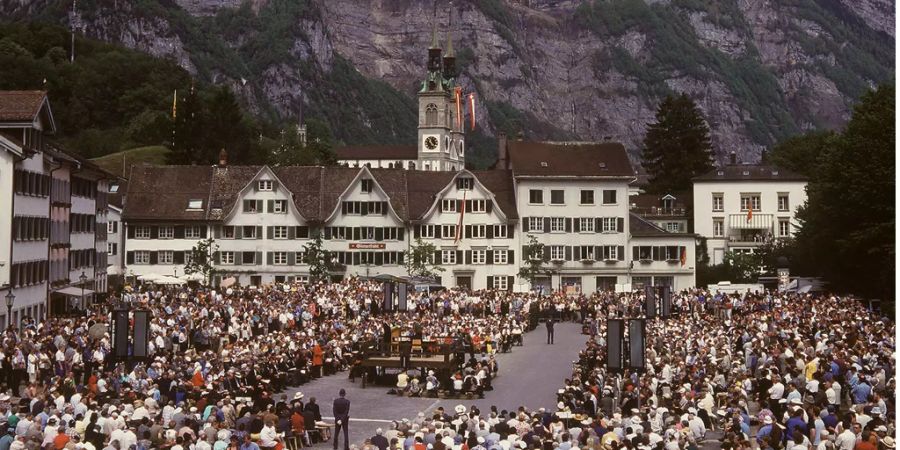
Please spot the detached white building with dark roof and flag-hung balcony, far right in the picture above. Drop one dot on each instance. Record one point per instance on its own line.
(739, 207)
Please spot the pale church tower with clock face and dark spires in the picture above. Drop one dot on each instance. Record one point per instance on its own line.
(441, 144)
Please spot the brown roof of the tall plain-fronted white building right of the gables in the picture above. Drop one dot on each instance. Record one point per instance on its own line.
(549, 159)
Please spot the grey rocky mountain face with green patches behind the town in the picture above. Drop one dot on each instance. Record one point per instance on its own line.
(760, 70)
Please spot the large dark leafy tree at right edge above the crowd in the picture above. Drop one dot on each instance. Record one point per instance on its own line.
(848, 221)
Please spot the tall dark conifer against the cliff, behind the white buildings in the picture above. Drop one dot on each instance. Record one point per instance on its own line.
(676, 147)
